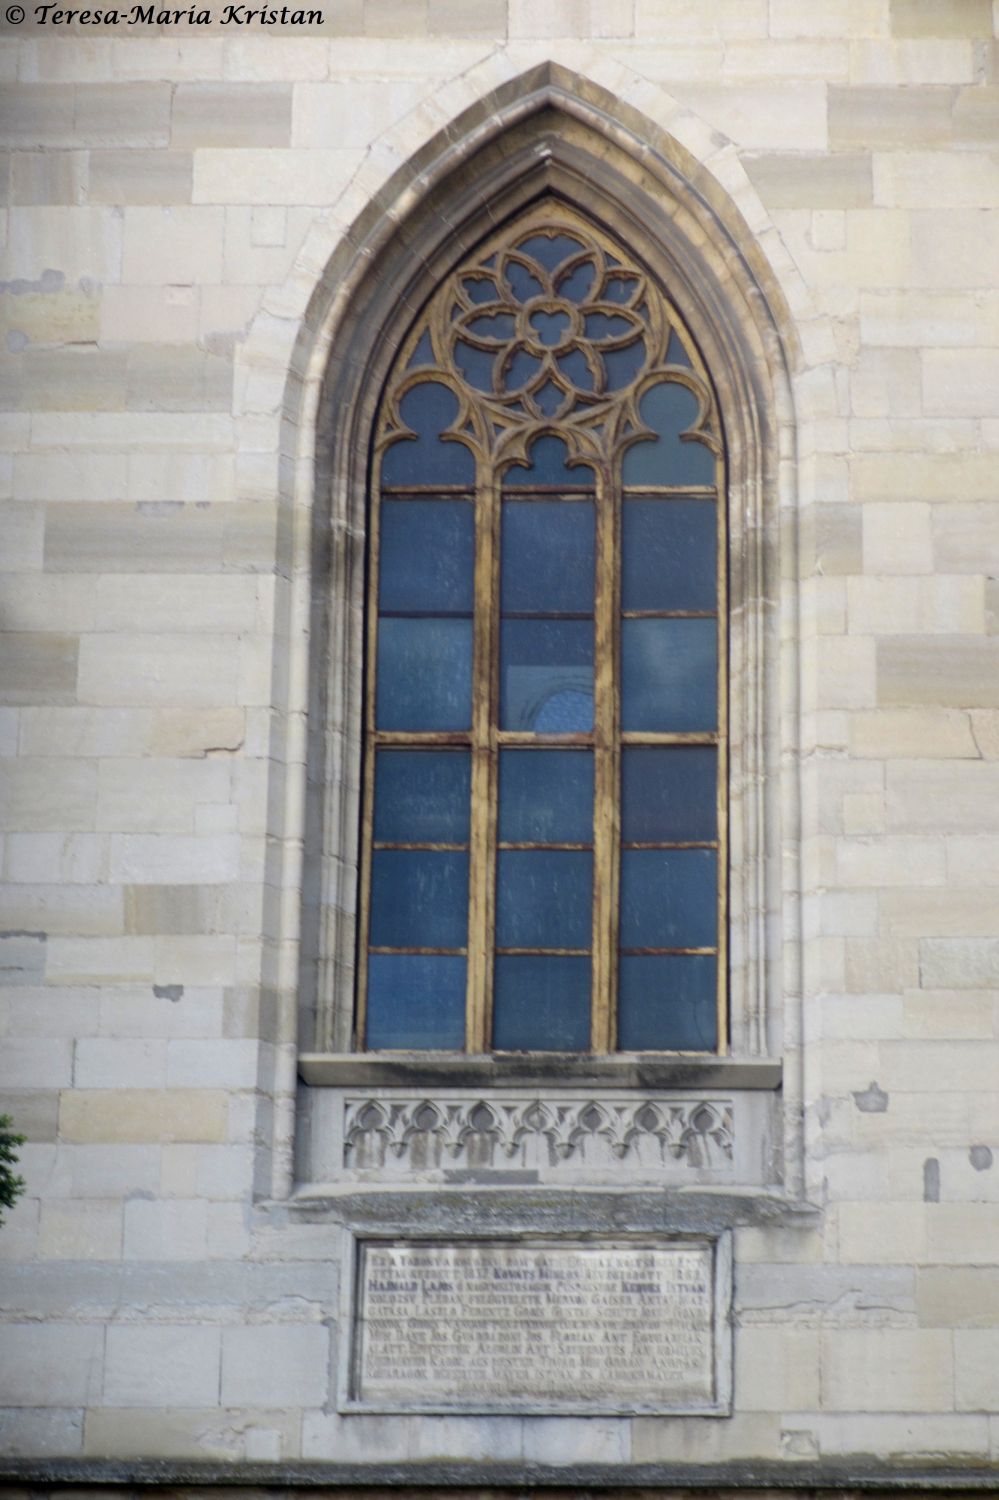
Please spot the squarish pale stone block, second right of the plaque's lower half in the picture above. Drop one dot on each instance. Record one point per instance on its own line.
(860, 1366)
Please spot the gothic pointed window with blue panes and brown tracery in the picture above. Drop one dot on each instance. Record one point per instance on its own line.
(544, 830)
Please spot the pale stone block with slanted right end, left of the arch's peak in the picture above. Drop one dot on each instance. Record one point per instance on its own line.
(274, 176)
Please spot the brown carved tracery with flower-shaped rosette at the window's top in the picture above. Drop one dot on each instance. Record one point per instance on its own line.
(550, 329)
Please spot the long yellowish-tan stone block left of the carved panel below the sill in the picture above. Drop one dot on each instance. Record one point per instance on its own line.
(143, 1115)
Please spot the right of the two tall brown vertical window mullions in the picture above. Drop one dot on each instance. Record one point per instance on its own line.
(607, 767)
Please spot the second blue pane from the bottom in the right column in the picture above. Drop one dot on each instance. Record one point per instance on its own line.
(670, 898)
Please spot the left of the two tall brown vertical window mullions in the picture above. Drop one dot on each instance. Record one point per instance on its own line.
(482, 874)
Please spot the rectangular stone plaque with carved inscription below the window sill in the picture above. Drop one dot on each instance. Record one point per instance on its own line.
(538, 1327)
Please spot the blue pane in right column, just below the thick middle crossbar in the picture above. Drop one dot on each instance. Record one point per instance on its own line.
(668, 794)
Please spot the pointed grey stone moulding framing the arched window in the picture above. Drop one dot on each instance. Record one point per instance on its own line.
(544, 133)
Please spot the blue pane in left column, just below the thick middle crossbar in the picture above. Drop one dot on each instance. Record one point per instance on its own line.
(422, 796)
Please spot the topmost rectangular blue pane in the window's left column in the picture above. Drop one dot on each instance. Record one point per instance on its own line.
(427, 556)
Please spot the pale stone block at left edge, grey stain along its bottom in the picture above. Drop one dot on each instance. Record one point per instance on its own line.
(70, 242)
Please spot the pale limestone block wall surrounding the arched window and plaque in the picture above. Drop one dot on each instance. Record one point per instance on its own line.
(175, 197)
